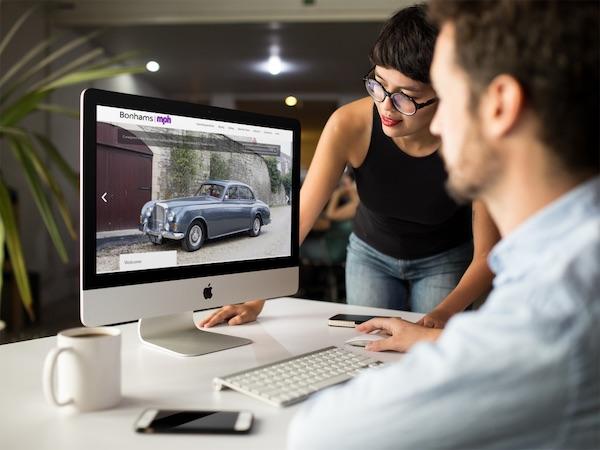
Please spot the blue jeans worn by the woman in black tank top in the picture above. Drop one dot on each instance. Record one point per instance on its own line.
(418, 285)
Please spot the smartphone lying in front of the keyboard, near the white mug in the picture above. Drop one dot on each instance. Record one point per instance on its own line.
(190, 421)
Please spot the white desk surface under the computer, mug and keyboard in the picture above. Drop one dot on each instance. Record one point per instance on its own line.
(151, 378)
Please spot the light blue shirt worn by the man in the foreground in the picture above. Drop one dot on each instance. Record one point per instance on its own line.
(522, 372)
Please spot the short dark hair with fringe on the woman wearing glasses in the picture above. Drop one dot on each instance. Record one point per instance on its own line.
(406, 43)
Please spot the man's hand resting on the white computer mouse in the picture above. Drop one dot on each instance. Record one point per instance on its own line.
(403, 334)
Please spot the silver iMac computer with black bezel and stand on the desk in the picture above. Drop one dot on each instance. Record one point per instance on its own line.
(183, 207)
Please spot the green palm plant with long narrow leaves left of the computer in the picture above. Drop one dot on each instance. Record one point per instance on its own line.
(25, 89)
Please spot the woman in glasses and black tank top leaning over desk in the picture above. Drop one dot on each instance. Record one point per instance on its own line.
(413, 247)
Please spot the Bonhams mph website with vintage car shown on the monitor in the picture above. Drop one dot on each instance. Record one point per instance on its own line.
(174, 190)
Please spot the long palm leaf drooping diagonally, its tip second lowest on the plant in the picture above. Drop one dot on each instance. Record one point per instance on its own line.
(39, 196)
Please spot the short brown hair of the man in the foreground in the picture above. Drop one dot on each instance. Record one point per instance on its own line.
(552, 48)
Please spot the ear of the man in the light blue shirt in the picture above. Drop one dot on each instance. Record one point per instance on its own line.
(501, 106)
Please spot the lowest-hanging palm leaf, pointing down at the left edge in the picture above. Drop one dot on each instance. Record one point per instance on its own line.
(13, 244)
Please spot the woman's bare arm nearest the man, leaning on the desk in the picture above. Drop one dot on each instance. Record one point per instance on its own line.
(477, 279)
